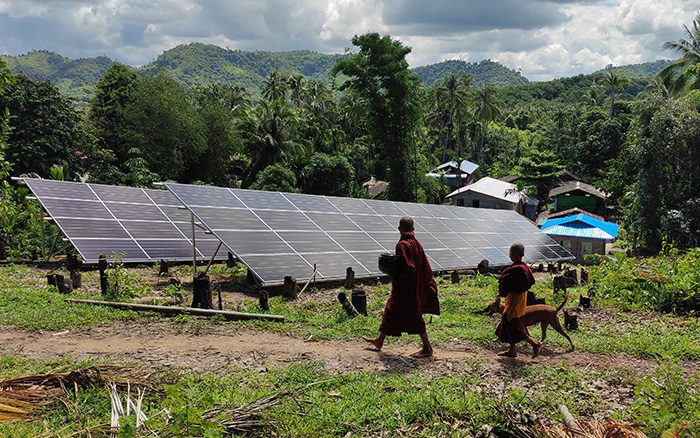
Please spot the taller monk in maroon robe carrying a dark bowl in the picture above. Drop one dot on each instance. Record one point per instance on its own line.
(413, 293)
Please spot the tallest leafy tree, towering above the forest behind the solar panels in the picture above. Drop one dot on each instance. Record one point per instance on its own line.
(379, 73)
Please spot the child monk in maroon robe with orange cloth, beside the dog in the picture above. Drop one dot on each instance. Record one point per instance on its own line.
(515, 281)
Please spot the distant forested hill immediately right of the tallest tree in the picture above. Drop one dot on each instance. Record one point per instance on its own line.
(484, 72)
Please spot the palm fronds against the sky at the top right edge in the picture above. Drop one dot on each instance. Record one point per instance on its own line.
(684, 74)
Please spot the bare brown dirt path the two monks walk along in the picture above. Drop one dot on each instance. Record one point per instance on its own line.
(215, 348)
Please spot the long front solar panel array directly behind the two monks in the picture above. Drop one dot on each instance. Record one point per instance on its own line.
(284, 234)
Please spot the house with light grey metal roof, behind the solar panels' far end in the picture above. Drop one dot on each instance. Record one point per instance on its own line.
(496, 194)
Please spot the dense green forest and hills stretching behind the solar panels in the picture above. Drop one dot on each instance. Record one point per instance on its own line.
(323, 125)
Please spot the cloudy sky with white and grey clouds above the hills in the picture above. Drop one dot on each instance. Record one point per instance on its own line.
(542, 39)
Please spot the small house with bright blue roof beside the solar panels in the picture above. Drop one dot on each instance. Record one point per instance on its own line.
(582, 234)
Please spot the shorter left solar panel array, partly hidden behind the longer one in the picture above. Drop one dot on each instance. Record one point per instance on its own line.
(138, 224)
